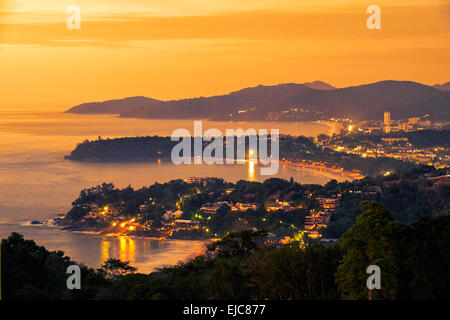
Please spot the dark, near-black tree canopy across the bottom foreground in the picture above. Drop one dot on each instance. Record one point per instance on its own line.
(414, 262)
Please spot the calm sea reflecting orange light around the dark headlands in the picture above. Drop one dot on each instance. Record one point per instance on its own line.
(36, 183)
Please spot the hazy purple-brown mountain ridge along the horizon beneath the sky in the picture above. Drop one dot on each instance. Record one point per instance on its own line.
(289, 102)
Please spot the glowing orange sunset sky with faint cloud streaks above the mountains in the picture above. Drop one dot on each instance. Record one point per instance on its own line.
(170, 49)
